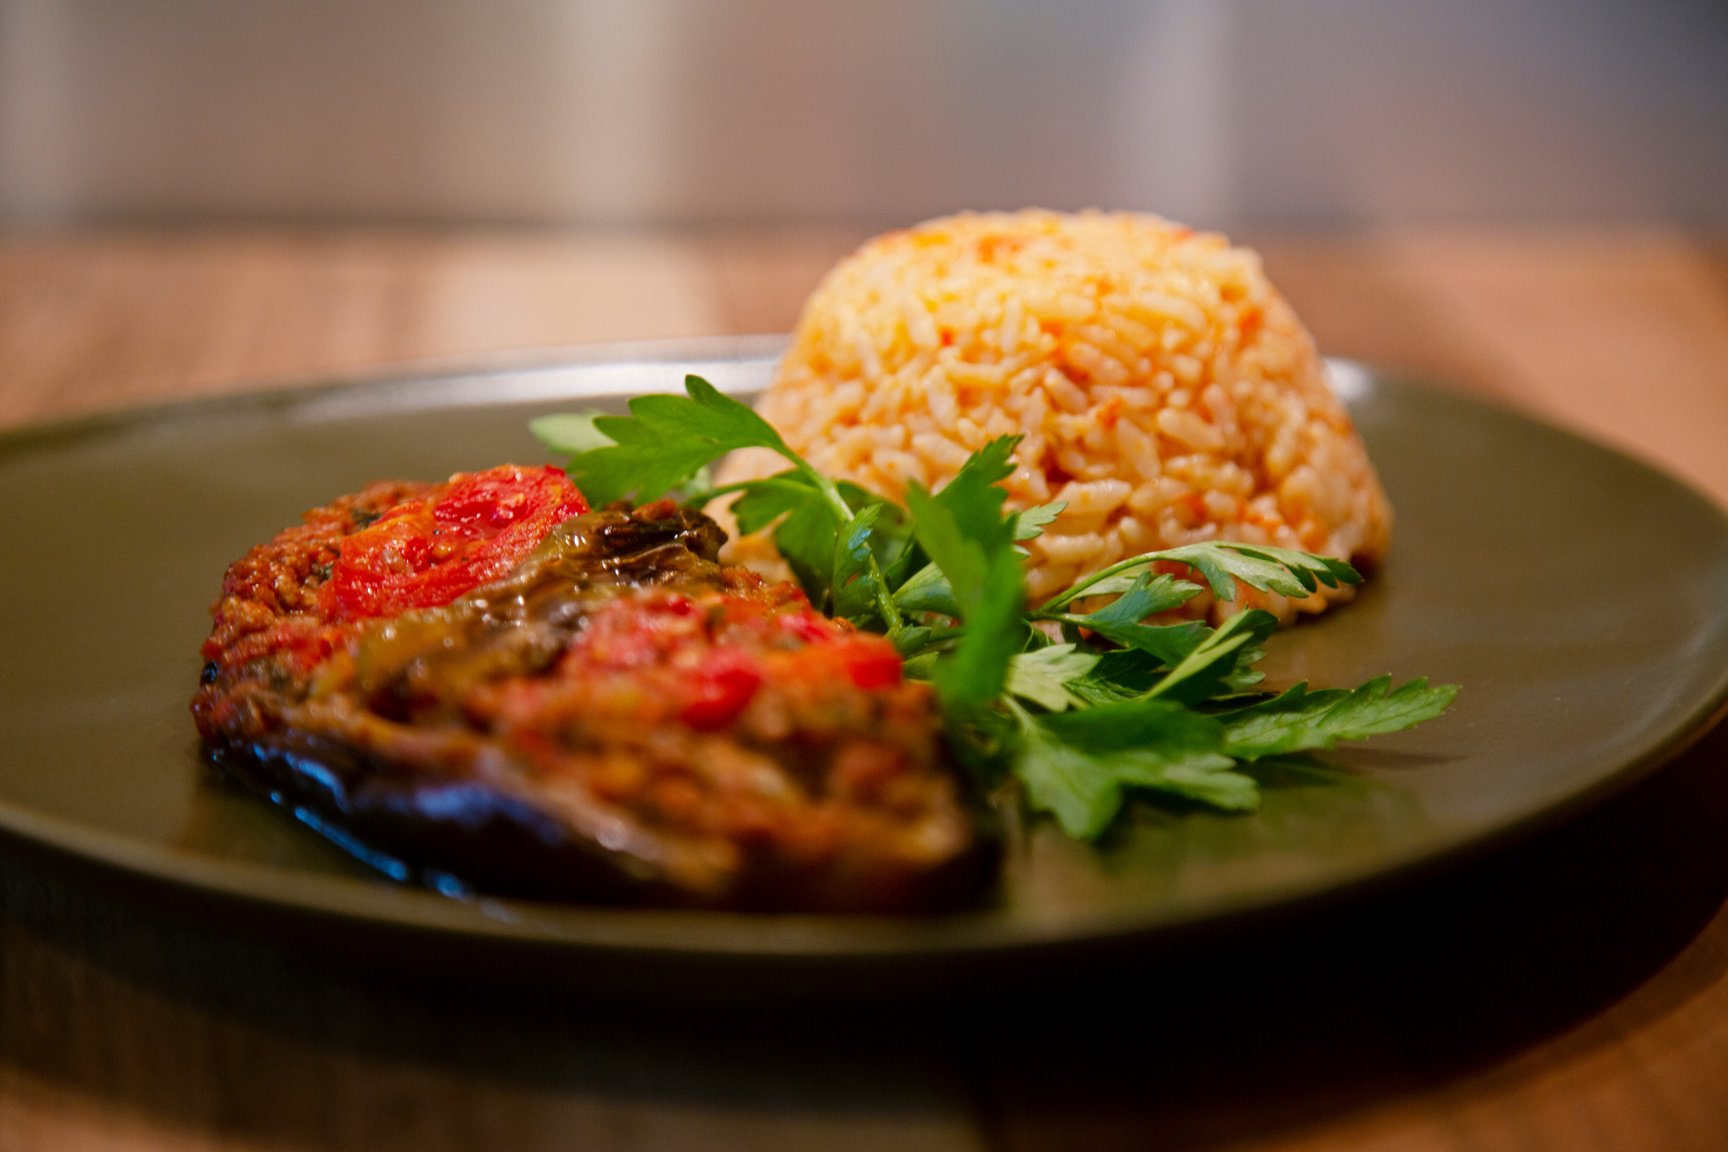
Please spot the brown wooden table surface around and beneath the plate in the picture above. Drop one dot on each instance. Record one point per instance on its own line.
(1570, 994)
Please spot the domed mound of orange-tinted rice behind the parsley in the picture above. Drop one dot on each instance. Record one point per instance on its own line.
(1166, 391)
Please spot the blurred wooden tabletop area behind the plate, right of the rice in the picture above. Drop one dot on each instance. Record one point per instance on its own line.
(1618, 336)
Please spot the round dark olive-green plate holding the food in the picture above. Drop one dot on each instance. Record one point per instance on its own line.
(1580, 598)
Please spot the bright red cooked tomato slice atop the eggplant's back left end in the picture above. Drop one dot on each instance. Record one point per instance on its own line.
(429, 552)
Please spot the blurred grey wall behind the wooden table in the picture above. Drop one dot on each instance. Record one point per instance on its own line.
(1221, 113)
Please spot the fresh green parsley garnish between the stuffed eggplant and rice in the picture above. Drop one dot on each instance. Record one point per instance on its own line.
(1117, 706)
